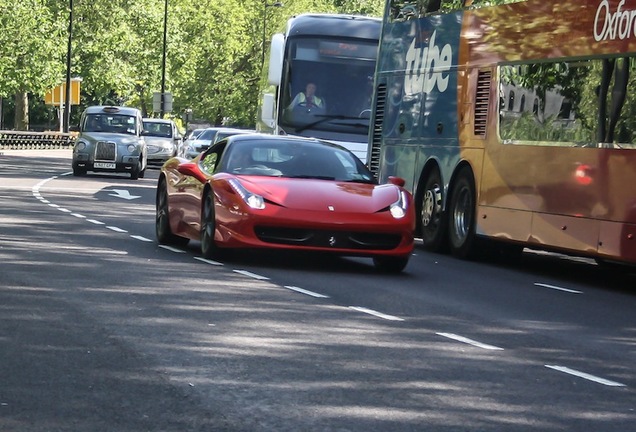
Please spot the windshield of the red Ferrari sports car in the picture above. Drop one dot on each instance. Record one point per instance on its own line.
(295, 159)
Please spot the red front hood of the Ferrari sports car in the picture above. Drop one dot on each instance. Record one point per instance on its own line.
(320, 195)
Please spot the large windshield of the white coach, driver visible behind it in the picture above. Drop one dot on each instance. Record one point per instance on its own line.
(329, 85)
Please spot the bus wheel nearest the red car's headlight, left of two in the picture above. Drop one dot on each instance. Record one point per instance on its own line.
(433, 222)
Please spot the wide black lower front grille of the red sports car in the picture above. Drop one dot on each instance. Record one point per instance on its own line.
(328, 239)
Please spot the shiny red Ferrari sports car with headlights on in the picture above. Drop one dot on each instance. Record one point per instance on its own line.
(281, 192)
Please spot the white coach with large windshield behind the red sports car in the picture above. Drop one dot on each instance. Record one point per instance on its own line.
(337, 54)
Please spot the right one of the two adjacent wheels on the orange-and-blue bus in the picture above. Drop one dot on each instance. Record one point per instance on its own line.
(461, 230)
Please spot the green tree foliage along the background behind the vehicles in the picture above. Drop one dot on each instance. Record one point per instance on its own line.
(213, 53)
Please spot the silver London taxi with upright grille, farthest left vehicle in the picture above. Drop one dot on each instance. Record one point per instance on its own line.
(110, 140)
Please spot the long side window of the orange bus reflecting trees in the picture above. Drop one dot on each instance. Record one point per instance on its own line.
(570, 109)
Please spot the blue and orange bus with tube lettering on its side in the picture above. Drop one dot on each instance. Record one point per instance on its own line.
(513, 125)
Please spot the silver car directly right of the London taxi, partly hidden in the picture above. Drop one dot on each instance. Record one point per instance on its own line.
(162, 138)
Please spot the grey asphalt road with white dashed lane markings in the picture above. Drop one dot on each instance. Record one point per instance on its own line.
(103, 330)
